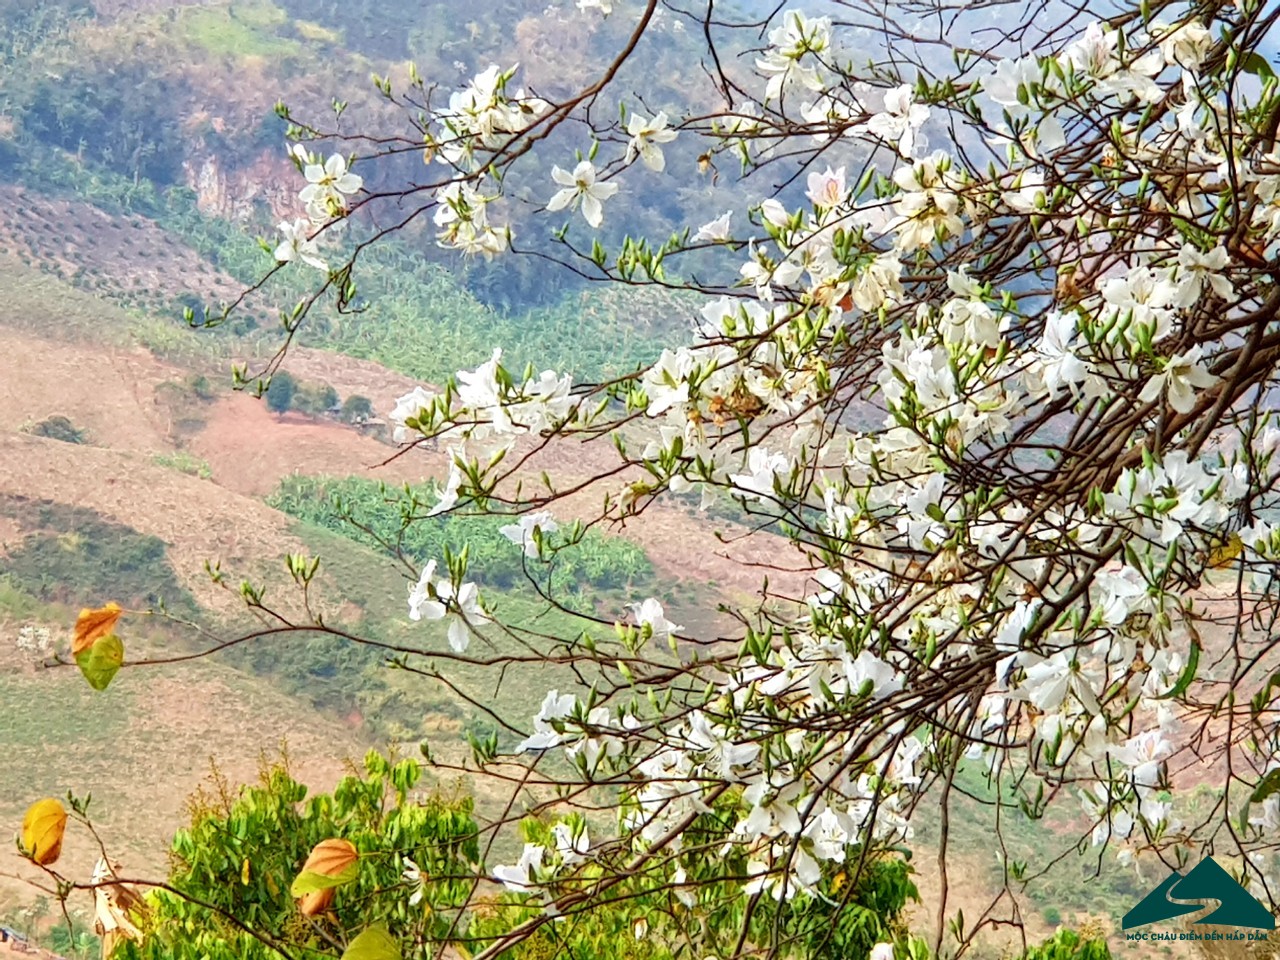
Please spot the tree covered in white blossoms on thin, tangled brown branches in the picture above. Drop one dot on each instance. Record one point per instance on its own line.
(993, 341)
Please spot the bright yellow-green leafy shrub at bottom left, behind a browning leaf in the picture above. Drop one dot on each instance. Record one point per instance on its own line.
(243, 852)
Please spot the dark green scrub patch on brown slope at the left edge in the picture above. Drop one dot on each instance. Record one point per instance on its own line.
(75, 556)
